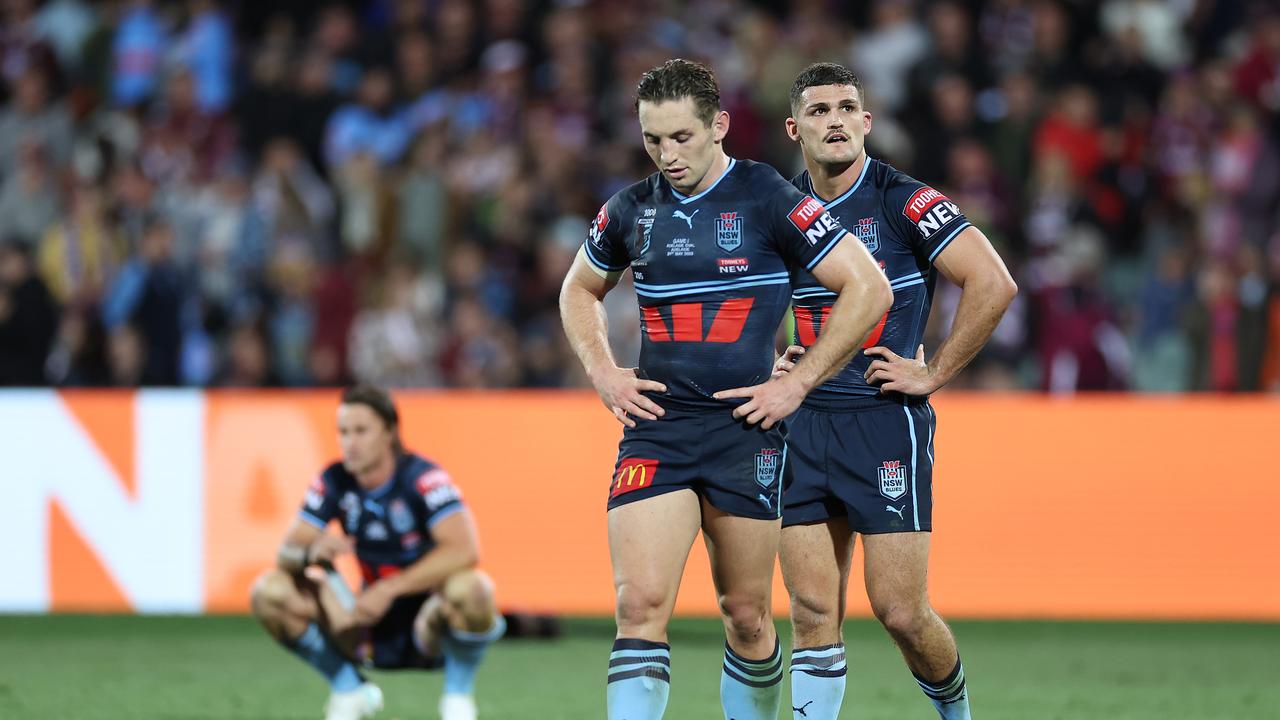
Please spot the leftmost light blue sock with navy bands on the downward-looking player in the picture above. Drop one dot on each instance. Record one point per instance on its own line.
(639, 680)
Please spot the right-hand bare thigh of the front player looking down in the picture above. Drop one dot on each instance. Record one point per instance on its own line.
(743, 553)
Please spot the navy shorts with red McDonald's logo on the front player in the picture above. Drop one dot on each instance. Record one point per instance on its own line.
(738, 468)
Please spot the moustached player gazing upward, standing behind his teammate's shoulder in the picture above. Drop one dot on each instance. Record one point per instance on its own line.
(862, 445)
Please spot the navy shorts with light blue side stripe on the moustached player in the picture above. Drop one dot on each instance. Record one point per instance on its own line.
(874, 466)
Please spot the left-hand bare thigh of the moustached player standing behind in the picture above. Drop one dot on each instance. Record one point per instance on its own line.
(816, 562)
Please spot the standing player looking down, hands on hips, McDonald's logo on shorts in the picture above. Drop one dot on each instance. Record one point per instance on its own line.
(711, 243)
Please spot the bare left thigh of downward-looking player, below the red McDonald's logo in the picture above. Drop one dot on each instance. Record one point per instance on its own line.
(650, 544)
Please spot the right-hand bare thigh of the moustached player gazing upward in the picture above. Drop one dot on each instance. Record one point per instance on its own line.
(895, 568)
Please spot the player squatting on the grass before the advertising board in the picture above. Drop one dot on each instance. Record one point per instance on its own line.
(424, 604)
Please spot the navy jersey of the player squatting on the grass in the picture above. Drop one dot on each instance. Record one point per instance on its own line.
(392, 523)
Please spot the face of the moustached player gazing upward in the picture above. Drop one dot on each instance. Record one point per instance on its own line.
(831, 125)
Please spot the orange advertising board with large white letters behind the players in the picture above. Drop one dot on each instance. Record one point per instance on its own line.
(1107, 507)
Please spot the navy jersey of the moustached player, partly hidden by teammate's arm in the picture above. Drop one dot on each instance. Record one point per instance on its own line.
(906, 225)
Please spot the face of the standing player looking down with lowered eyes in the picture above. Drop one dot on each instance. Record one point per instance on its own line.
(680, 144)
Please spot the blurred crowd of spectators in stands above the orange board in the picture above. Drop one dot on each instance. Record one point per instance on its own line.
(296, 194)
